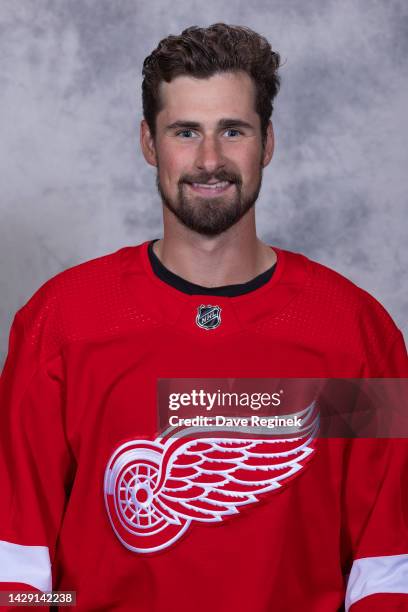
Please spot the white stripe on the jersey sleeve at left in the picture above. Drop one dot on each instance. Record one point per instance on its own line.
(28, 564)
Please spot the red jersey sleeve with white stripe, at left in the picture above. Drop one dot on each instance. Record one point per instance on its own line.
(35, 460)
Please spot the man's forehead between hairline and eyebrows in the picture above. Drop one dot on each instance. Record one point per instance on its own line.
(224, 94)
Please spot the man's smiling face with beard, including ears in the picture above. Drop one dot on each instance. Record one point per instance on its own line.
(208, 150)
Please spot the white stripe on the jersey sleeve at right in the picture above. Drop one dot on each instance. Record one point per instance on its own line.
(371, 575)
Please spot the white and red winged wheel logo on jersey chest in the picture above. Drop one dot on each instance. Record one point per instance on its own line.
(154, 490)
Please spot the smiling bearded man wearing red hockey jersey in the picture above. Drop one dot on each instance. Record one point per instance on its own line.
(95, 499)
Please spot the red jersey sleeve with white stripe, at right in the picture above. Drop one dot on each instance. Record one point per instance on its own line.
(376, 512)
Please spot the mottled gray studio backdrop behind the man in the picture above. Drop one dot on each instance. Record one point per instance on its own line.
(74, 183)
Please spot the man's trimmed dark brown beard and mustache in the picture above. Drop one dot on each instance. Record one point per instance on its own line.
(214, 215)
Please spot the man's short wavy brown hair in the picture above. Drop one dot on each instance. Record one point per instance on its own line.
(203, 52)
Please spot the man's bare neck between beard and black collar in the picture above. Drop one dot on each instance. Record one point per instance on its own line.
(235, 256)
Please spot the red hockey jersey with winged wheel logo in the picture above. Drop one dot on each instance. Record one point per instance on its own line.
(78, 423)
